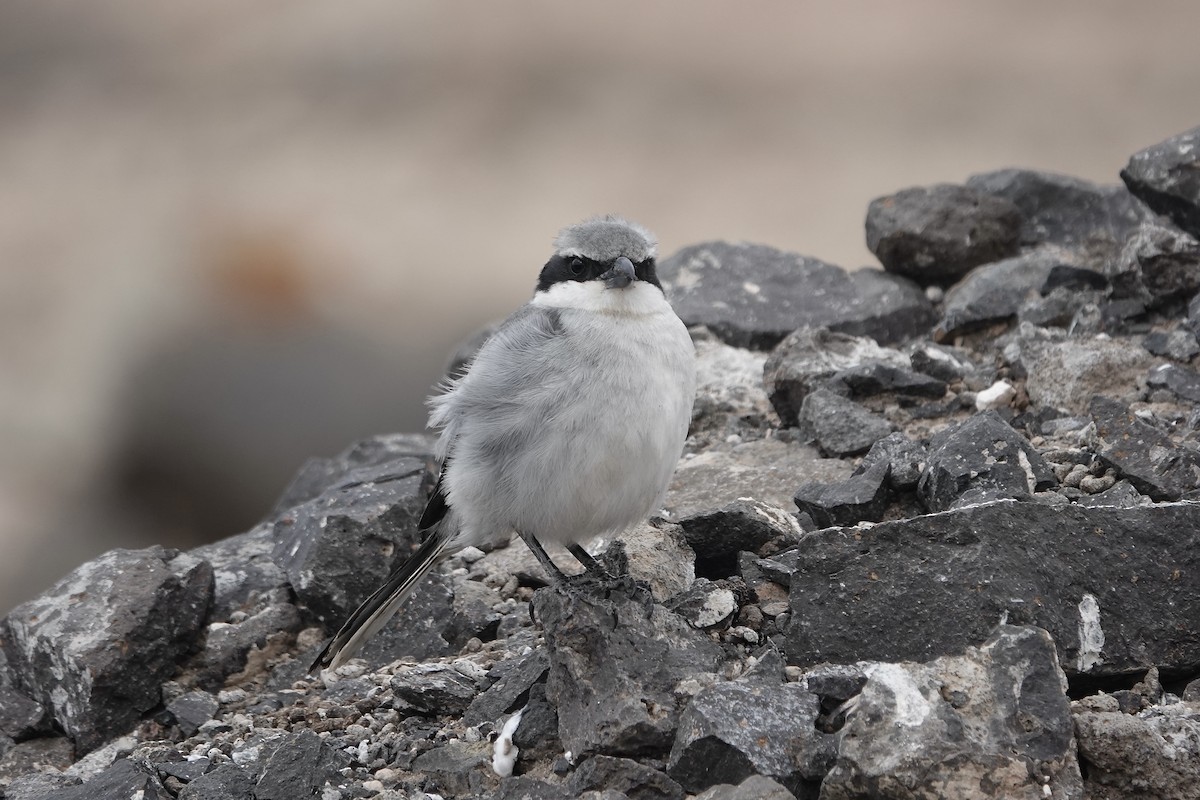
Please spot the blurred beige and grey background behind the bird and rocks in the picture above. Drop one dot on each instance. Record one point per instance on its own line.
(237, 236)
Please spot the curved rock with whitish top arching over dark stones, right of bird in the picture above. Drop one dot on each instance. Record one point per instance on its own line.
(809, 357)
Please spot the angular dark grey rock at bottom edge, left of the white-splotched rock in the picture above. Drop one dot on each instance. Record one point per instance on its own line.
(736, 730)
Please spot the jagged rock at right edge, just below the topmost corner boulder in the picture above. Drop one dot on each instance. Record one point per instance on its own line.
(1159, 266)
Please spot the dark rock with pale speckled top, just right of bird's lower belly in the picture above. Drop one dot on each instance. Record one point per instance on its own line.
(746, 525)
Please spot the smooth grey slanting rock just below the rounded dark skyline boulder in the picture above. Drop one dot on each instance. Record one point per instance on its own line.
(997, 292)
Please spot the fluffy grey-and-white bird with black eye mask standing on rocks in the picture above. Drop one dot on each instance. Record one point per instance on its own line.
(567, 425)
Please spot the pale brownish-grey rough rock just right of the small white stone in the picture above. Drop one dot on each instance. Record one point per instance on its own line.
(1065, 374)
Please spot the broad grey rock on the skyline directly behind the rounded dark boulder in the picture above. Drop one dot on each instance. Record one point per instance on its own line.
(1063, 210)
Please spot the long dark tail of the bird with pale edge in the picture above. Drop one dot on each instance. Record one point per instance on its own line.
(379, 609)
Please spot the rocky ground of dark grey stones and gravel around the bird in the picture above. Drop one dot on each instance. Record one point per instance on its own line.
(934, 534)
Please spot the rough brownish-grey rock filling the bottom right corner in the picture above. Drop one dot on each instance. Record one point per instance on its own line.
(1153, 755)
